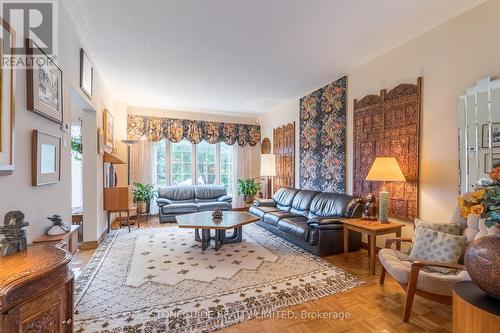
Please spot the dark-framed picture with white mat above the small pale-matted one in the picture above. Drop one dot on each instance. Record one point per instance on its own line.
(43, 84)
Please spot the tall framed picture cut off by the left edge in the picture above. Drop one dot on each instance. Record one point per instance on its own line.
(7, 93)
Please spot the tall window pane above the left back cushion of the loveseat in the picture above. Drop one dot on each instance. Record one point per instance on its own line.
(181, 162)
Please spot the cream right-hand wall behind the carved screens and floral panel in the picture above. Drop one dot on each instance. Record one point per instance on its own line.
(450, 58)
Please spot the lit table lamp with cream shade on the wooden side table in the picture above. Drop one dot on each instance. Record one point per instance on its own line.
(385, 169)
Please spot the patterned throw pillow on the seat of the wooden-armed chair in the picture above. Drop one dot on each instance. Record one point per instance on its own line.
(437, 246)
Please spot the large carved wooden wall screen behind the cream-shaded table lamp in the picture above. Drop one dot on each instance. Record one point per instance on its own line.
(389, 125)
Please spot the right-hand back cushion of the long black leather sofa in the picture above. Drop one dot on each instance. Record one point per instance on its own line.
(333, 205)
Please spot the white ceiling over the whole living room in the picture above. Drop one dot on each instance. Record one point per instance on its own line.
(242, 56)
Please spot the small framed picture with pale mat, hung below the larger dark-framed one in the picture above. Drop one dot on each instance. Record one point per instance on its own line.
(45, 158)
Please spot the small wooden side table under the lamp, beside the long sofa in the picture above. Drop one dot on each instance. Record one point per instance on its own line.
(372, 229)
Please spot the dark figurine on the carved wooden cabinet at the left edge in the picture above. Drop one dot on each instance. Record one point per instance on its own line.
(14, 235)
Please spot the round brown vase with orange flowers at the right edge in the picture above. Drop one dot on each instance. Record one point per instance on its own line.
(481, 260)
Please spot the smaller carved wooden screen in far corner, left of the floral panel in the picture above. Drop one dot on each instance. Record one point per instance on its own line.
(284, 149)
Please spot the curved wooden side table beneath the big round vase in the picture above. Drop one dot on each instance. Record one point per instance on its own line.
(473, 310)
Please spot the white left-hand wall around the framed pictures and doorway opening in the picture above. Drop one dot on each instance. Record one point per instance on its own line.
(16, 192)
